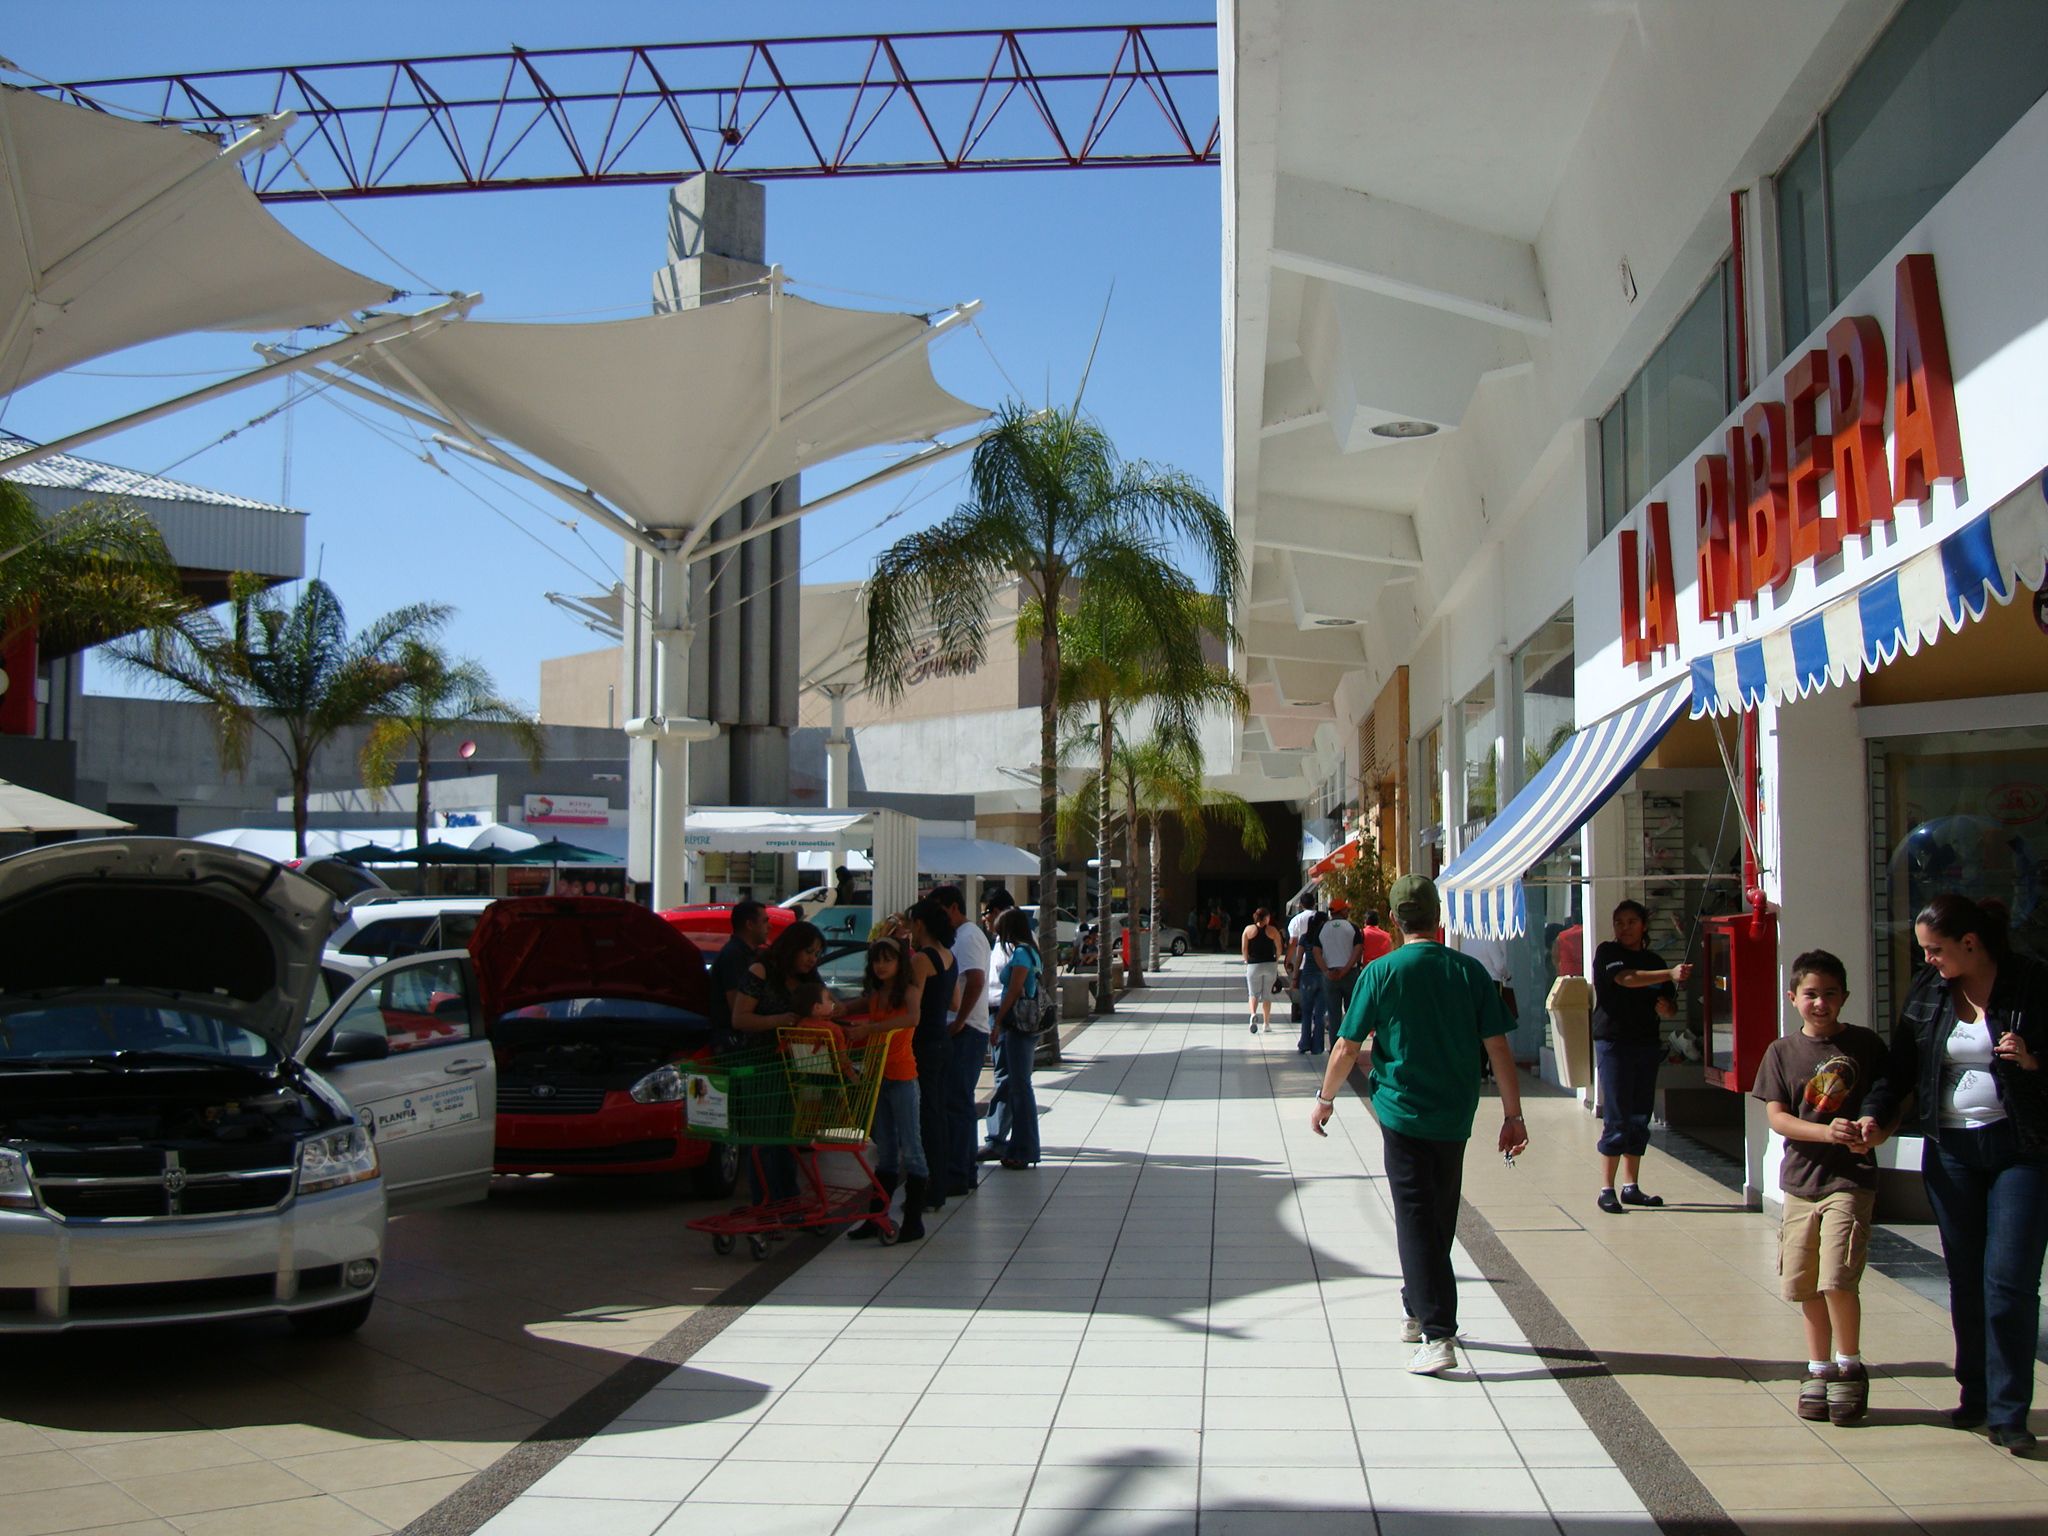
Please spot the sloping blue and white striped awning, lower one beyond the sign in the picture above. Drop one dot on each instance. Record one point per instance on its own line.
(1484, 886)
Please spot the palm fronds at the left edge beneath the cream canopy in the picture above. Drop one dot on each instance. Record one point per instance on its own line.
(83, 579)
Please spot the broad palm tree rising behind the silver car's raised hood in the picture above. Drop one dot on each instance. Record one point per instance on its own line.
(292, 675)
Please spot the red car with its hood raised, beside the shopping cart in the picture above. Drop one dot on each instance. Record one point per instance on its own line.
(593, 1007)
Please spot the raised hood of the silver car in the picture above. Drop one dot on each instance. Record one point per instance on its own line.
(165, 923)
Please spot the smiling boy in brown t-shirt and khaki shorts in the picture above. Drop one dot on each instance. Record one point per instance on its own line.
(1814, 1086)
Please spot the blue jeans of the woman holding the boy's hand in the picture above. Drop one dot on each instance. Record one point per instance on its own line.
(1992, 1203)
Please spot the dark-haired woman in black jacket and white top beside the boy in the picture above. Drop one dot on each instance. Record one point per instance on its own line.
(1967, 1062)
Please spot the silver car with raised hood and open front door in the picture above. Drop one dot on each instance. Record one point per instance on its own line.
(177, 1140)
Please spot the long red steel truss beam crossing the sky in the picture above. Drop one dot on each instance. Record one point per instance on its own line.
(771, 110)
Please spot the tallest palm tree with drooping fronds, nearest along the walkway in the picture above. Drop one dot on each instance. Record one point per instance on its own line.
(1054, 509)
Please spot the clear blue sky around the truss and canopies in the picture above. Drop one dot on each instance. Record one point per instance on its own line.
(1041, 251)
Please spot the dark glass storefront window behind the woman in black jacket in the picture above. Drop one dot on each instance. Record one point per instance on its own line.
(1959, 812)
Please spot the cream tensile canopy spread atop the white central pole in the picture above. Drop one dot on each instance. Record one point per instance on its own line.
(677, 417)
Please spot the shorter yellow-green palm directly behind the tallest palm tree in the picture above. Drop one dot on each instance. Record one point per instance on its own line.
(1117, 660)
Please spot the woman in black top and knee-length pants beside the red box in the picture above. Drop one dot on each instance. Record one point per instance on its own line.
(1633, 990)
